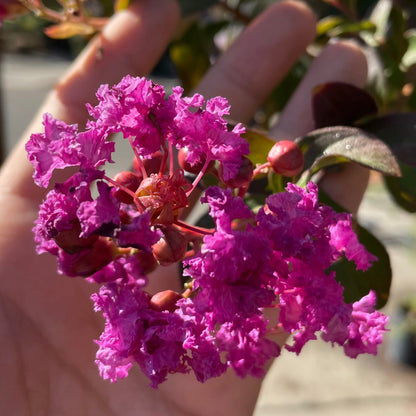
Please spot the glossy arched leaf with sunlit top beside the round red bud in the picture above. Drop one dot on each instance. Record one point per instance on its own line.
(332, 145)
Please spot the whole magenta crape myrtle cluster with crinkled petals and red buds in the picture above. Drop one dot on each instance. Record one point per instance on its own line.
(116, 231)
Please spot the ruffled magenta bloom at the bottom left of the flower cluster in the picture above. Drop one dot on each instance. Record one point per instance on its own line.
(136, 333)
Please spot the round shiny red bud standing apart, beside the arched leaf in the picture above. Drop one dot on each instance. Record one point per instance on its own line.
(286, 158)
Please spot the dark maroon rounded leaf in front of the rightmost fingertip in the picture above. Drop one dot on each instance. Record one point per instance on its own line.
(339, 103)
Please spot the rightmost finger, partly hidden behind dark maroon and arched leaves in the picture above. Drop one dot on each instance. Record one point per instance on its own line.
(341, 61)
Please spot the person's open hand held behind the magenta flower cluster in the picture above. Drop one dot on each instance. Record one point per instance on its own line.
(46, 320)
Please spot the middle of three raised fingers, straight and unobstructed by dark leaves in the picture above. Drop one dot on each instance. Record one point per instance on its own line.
(260, 57)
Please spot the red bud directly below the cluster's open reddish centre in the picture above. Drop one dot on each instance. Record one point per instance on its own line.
(171, 247)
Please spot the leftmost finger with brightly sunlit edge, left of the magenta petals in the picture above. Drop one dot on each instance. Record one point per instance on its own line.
(132, 42)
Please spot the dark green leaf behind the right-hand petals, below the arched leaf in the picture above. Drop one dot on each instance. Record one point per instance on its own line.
(357, 283)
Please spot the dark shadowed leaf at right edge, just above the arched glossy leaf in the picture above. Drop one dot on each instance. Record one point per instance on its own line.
(398, 130)
